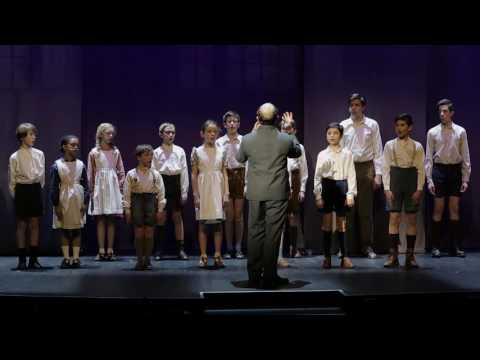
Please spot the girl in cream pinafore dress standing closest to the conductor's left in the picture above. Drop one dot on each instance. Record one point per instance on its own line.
(210, 190)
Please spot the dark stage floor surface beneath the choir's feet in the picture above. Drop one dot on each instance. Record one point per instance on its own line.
(176, 279)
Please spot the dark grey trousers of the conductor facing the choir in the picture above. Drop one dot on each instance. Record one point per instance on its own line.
(265, 224)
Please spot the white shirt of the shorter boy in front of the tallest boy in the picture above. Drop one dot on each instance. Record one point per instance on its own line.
(335, 165)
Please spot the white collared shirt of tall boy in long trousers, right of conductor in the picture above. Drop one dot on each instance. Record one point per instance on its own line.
(364, 141)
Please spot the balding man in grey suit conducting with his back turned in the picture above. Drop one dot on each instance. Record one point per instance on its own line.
(266, 149)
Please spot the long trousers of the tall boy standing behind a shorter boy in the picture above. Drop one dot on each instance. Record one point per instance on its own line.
(360, 219)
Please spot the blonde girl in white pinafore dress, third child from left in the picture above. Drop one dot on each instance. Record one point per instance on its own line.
(106, 175)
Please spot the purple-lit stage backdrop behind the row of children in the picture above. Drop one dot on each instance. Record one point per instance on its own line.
(71, 89)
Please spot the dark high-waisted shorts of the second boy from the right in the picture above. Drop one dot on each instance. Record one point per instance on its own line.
(403, 183)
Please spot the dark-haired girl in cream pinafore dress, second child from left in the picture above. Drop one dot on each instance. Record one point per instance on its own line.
(69, 195)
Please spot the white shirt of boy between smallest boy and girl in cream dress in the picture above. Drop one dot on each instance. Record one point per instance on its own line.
(172, 163)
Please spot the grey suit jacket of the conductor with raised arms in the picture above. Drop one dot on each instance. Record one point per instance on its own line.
(266, 150)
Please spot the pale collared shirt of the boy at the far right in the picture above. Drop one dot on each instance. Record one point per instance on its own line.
(447, 145)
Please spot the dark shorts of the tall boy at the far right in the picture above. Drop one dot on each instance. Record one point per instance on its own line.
(447, 179)
